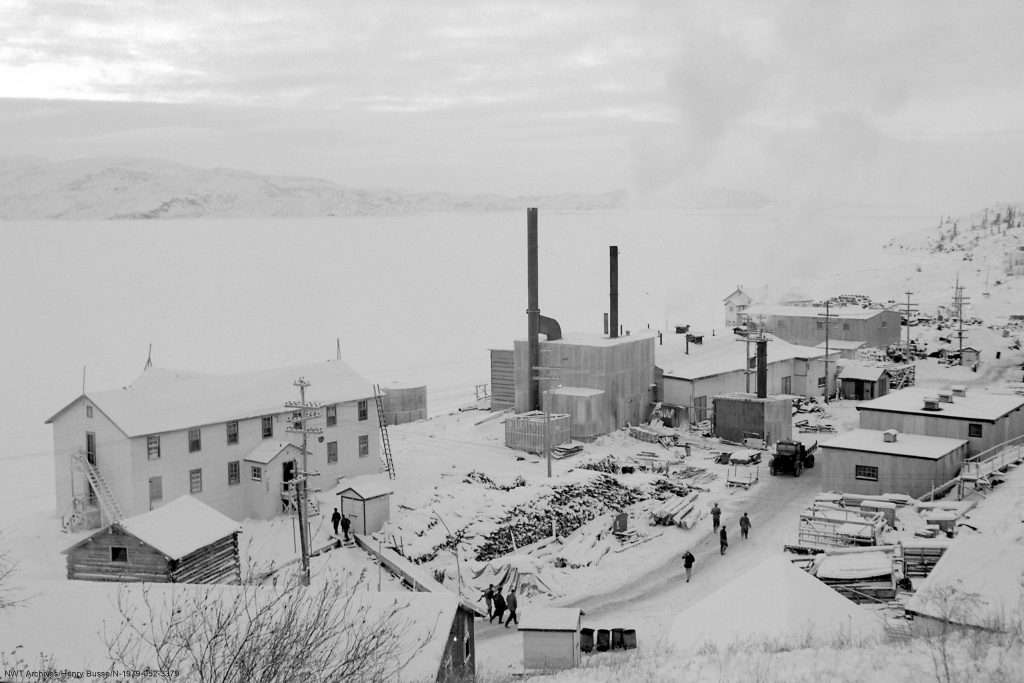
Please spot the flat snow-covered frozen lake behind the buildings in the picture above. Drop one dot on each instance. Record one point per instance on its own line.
(411, 298)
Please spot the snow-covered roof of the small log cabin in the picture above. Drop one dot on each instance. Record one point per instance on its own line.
(180, 528)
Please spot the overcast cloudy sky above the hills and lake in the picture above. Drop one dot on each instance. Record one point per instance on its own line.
(890, 102)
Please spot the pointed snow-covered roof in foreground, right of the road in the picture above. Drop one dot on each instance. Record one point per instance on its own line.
(773, 602)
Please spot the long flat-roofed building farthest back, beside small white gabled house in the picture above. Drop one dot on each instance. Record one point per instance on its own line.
(806, 325)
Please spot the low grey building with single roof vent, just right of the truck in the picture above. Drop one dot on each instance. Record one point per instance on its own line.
(873, 462)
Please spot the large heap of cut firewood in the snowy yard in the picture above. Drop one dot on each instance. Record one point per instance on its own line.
(570, 506)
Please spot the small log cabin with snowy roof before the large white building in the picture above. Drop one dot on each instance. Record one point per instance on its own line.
(184, 542)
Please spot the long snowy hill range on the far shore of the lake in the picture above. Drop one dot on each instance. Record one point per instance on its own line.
(137, 189)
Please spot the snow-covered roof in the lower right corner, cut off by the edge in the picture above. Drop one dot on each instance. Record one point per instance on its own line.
(980, 577)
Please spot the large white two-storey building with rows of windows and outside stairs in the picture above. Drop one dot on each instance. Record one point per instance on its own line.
(220, 439)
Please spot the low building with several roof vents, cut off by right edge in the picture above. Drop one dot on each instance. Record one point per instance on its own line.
(984, 419)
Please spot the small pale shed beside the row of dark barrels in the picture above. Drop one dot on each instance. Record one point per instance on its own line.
(550, 638)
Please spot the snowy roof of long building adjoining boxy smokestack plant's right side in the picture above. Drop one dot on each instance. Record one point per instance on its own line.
(726, 354)
